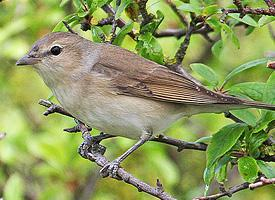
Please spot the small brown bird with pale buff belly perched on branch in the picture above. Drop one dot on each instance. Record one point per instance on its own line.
(119, 92)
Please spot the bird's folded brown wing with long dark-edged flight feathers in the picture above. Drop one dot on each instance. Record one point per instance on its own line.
(134, 76)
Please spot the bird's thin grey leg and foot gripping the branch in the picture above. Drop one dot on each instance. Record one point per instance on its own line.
(112, 167)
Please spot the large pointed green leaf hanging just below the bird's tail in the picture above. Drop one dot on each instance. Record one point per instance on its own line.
(229, 136)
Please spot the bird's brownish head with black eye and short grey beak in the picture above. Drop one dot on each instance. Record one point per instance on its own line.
(58, 56)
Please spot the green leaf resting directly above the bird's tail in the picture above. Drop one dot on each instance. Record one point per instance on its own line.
(253, 90)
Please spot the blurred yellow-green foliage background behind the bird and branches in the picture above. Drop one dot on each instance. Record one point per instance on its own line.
(40, 161)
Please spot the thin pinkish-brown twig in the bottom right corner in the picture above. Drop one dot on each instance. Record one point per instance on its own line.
(263, 181)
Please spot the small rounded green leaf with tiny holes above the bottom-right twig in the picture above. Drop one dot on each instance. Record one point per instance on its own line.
(248, 168)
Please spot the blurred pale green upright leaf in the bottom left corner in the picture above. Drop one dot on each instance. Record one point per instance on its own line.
(14, 188)
